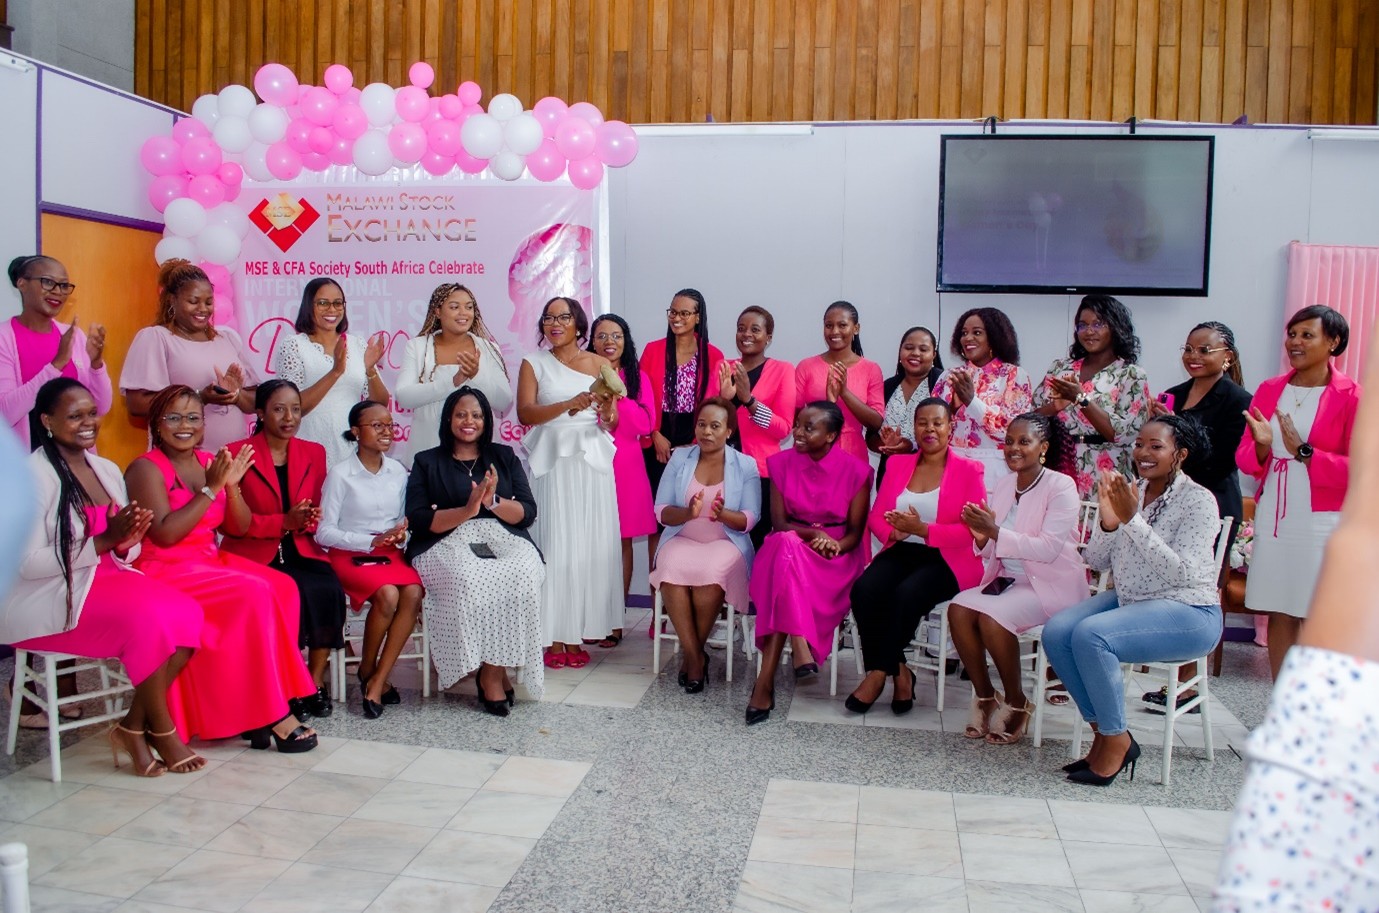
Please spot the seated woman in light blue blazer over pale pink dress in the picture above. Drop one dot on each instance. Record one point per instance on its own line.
(709, 499)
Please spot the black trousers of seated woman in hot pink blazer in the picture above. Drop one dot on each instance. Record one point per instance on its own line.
(900, 588)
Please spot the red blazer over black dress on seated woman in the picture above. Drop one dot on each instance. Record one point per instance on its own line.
(305, 474)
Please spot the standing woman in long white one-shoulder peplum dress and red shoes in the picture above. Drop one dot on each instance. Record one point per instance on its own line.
(570, 450)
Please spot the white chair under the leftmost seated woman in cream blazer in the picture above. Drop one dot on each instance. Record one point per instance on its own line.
(115, 685)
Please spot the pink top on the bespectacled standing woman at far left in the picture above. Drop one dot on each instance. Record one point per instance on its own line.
(27, 365)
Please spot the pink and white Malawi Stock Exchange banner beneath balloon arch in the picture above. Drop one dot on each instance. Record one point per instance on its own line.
(514, 246)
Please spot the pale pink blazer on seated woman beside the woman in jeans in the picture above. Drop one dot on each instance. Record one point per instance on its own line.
(1045, 537)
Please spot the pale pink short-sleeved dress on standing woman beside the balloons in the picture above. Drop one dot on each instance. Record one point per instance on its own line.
(159, 358)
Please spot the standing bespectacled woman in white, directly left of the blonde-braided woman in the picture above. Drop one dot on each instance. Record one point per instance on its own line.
(333, 370)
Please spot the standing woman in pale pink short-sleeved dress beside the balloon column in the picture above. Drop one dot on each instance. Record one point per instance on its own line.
(185, 348)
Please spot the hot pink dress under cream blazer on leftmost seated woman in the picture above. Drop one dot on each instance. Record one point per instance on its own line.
(128, 616)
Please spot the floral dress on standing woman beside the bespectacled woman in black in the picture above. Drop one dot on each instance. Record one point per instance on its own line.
(1122, 390)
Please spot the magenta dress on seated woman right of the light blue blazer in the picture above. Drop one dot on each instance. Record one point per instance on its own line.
(798, 591)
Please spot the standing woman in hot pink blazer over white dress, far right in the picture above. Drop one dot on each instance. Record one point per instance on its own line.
(1297, 443)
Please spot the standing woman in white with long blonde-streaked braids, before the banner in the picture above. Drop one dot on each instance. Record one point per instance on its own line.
(453, 350)
